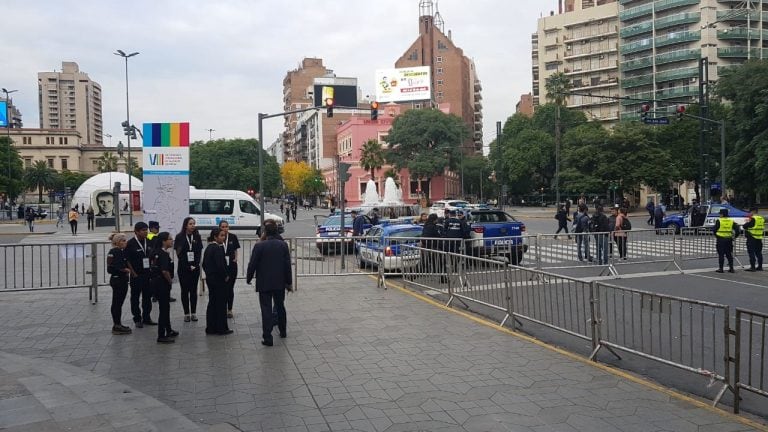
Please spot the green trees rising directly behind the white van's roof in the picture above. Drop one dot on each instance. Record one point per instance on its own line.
(232, 164)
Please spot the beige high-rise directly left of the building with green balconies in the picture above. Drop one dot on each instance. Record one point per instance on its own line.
(583, 43)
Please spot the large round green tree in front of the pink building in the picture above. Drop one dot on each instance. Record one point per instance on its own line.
(426, 141)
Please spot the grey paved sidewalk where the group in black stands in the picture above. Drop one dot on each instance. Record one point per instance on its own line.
(356, 358)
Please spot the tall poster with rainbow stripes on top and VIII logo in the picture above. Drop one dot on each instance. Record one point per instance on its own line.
(166, 174)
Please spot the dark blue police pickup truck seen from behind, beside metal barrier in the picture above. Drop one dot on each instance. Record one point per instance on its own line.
(496, 233)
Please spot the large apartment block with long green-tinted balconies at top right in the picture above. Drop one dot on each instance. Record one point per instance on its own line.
(663, 41)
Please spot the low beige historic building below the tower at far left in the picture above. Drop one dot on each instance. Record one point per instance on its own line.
(63, 149)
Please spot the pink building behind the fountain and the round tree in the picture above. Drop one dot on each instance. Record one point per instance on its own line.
(350, 137)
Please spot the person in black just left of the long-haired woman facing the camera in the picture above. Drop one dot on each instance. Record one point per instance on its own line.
(161, 280)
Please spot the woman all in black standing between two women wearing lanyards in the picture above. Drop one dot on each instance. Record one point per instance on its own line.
(217, 276)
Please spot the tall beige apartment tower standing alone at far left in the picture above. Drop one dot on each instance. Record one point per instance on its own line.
(70, 100)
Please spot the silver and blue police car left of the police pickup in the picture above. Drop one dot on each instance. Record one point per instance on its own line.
(390, 246)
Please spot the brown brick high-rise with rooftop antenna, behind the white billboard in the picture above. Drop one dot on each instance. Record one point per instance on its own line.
(454, 77)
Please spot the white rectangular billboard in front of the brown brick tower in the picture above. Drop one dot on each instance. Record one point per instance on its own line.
(404, 84)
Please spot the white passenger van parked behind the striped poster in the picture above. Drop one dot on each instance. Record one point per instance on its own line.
(211, 206)
